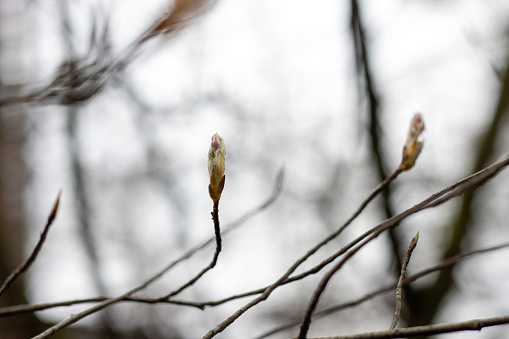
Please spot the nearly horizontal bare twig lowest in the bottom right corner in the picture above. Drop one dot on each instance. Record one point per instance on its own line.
(469, 325)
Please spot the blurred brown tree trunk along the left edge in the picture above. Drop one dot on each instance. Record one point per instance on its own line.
(13, 176)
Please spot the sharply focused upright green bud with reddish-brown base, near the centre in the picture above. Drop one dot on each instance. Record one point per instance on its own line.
(217, 155)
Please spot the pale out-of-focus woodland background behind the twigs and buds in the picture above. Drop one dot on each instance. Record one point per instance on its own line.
(115, 102)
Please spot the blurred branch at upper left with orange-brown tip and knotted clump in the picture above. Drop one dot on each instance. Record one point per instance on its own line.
(80, 78)
